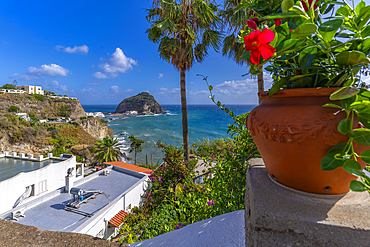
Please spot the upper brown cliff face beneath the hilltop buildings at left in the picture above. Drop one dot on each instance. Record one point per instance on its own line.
(48, 107)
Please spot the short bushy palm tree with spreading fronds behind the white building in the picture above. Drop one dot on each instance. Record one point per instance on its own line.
(107, 150)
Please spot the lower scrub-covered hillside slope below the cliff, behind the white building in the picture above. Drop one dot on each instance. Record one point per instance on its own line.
(19, 135)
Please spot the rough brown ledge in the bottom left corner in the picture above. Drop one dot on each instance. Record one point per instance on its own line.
(15, 234)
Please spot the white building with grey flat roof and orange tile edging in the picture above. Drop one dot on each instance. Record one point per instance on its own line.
(107, 196)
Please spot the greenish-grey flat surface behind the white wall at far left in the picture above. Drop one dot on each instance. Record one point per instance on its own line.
(10, 167)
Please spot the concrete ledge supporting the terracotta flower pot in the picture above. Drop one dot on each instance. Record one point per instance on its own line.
(280, 216)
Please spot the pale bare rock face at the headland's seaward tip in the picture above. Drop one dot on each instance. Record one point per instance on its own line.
(96, 127)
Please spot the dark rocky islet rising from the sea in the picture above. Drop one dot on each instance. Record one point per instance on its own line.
(143, 103)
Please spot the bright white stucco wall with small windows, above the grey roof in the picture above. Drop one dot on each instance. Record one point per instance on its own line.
(54, 174)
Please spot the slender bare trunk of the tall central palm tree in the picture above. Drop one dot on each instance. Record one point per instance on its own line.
(185, 133)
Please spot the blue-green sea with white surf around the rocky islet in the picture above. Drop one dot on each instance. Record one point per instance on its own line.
(204, 121)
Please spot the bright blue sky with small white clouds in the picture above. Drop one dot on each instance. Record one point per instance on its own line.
(98, 51)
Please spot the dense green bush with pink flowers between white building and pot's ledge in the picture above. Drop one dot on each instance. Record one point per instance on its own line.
(172, 187)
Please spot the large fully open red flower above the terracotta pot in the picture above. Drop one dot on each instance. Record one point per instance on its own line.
(256, 42)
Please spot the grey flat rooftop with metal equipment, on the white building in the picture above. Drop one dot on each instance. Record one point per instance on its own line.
(51, 215)
